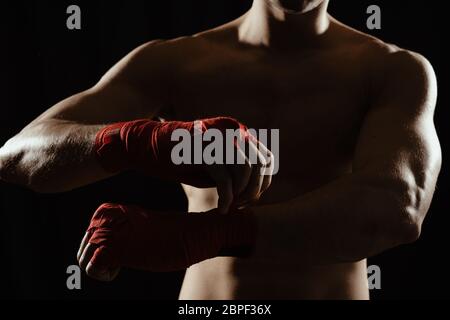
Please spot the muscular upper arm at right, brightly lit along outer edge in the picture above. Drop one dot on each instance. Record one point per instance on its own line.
(398, 147)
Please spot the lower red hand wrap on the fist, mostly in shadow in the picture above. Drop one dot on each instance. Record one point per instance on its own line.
(132, 237)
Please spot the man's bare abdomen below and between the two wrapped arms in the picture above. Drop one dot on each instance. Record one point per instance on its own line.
(234, 279)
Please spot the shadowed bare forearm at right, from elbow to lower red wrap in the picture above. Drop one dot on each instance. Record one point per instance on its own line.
(345, 221)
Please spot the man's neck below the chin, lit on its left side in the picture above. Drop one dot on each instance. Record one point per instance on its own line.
(269, 26)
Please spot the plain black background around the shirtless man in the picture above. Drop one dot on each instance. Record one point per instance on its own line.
(43, 62)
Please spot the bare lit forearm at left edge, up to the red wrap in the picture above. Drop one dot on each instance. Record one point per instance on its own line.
(52, 156)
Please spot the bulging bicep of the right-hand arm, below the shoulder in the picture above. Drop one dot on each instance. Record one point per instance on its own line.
(395, 146)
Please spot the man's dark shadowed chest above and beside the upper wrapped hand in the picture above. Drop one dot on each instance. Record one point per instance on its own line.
(318, 105)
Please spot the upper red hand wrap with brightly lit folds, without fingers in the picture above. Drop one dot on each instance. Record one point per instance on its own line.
(146, 146)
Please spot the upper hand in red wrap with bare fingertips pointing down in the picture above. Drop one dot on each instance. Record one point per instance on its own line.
(147, 146)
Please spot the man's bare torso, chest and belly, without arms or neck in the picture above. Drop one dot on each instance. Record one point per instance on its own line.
(318, 99)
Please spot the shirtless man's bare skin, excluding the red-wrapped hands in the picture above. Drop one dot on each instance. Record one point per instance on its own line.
(360, 155)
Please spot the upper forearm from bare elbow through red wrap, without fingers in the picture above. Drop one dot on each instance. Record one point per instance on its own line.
(55, 155)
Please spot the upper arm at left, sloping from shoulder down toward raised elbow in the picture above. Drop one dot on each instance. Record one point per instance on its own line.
(136, 87)
